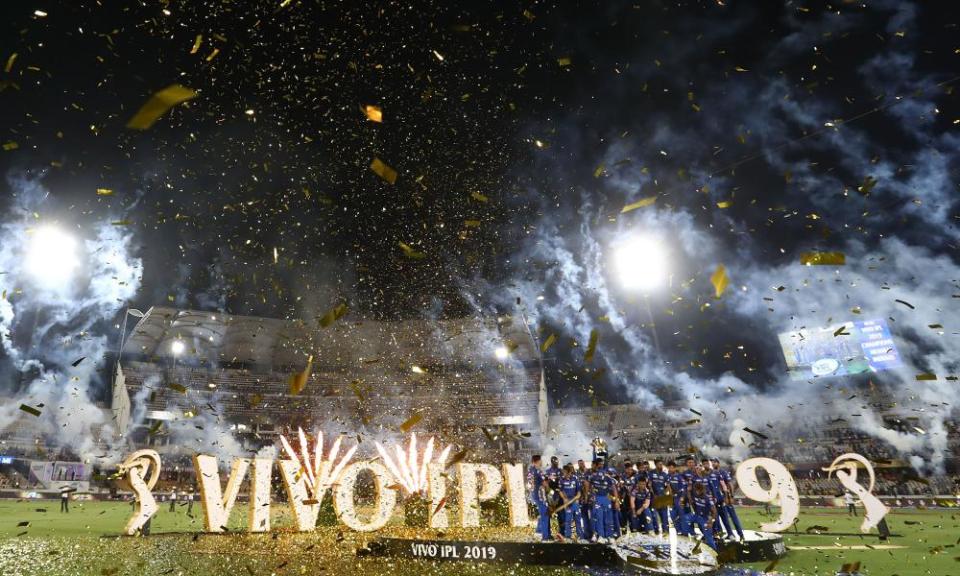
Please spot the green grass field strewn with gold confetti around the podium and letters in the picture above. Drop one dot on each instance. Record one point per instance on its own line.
(54, 544)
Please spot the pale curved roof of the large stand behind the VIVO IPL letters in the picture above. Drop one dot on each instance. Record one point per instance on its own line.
(254, 341)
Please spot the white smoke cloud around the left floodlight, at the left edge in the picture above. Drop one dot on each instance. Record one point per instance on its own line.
(48, 328)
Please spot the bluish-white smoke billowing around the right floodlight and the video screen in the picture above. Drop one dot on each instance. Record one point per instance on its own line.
(889, 258)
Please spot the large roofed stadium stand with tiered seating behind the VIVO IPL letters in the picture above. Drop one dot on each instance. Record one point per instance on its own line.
(477, 382)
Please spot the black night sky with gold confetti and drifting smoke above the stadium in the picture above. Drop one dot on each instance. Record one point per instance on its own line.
(519, 132)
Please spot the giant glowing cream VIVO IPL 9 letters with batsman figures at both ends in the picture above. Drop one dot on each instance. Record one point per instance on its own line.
(310, 475)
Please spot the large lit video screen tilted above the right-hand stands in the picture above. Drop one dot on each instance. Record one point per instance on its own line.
(839, 350)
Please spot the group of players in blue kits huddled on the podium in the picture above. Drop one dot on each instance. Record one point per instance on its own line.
(601, 503)
